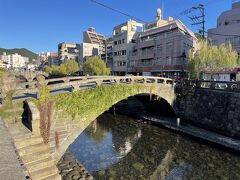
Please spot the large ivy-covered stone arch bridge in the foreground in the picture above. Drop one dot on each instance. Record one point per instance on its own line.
(67, 128)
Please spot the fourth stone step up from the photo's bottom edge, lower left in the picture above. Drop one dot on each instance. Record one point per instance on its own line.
(31, 149)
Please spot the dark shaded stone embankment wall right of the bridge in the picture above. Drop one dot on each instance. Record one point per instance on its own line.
(215, 110)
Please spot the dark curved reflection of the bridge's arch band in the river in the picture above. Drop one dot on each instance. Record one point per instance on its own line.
(147, 157)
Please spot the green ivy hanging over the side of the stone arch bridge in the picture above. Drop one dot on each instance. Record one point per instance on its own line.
(88, 103)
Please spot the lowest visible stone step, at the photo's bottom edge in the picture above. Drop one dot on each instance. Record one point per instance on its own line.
(44, 173)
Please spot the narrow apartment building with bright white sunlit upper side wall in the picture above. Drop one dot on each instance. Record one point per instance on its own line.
(124, 38)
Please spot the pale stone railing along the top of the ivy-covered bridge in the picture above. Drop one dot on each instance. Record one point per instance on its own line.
(90, 81)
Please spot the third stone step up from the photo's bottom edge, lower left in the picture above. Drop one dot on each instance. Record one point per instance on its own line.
(29, 158)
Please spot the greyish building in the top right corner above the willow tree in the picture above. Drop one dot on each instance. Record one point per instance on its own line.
(228, 23)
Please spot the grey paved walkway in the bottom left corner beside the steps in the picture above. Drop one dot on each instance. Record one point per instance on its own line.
(10, 166)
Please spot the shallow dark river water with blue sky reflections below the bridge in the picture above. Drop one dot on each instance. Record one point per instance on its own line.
(118, 147)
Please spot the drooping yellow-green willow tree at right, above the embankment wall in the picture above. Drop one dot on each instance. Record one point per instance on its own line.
(214, 58)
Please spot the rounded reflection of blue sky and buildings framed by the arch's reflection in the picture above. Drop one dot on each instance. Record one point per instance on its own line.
(103, 143)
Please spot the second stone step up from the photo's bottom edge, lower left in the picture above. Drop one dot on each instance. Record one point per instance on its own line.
(40, 164)
